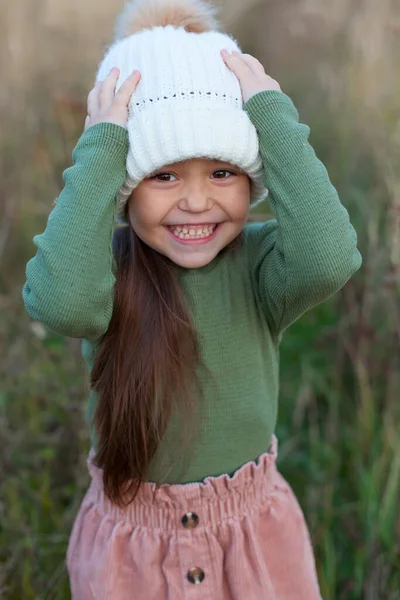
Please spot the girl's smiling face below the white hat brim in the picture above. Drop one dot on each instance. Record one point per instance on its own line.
(189, 211)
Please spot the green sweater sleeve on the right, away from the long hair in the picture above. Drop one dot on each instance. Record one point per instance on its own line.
(309, 251)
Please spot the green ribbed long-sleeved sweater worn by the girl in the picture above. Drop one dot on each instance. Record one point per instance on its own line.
(241, 302)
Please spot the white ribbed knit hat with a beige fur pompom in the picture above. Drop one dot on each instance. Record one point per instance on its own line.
(188, 103)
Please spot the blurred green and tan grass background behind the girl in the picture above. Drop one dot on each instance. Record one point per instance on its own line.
(340, 377)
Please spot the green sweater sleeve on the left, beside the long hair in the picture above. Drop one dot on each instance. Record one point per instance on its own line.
(70, 282)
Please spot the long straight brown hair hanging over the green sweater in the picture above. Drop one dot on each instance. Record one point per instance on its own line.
(146, 367)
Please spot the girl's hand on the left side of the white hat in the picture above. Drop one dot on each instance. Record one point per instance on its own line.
(104, 106)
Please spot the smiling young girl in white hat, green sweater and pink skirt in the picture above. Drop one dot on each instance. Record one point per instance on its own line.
(181, 308)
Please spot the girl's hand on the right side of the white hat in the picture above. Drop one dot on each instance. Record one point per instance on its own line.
(250, 73)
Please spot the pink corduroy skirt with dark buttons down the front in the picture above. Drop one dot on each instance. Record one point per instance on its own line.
(226, 538)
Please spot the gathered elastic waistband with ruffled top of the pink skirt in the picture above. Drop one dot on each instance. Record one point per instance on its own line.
(213, 500)
